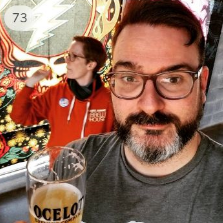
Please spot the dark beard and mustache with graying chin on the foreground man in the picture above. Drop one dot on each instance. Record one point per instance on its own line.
(155, 146)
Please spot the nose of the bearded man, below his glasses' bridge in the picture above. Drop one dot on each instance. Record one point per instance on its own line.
(150, 101)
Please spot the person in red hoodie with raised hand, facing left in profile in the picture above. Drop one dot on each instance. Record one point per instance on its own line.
(74, 109)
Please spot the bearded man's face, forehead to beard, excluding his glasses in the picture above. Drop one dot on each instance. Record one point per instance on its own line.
(152, 127)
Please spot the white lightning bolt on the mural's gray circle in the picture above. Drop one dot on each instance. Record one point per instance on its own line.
(45, 14)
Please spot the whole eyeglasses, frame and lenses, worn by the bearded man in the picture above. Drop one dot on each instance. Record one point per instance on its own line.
(170, 85)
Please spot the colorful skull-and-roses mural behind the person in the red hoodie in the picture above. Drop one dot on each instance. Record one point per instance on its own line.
(35, 33)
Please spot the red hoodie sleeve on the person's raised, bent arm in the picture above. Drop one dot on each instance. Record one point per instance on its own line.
(28, 111)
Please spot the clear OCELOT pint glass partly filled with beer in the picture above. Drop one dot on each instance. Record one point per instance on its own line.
(56, 179)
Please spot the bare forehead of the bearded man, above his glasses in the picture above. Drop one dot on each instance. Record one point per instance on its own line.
(141, 45)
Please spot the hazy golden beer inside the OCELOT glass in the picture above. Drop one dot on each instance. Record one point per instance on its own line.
(59, 203)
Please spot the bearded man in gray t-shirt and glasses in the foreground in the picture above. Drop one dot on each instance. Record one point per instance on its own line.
(157, 167)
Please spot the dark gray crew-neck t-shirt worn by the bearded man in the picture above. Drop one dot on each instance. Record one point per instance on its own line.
(116, 193)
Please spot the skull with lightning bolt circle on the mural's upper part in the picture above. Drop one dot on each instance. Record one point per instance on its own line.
(38, 32)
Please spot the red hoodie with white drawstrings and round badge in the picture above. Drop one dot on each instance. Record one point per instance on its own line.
(69, 117)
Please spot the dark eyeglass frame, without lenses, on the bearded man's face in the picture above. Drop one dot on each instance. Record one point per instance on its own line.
(194, 74)
